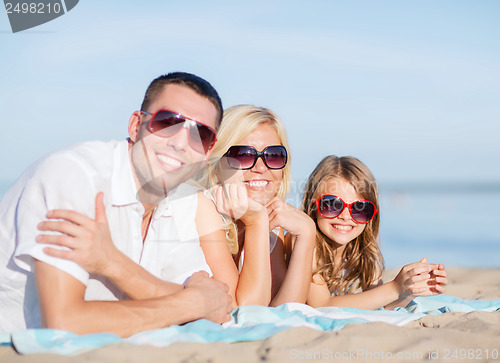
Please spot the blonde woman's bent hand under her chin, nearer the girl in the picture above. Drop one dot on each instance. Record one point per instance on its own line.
(289, 218)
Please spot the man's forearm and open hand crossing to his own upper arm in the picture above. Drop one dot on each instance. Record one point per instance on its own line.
(89, 244)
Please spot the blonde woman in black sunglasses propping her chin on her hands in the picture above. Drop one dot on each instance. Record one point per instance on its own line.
(247, 180)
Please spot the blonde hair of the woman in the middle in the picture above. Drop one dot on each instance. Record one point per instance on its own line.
(239, 122)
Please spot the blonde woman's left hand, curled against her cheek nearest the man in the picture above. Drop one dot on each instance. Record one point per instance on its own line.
(232, 199)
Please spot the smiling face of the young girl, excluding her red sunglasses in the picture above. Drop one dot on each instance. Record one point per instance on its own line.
(341, 229)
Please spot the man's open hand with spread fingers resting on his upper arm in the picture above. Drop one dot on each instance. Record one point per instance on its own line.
(88, 240)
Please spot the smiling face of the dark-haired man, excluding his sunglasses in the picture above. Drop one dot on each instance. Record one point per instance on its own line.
(162, 163)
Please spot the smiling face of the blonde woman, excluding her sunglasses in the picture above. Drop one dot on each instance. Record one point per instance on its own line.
(261, 183)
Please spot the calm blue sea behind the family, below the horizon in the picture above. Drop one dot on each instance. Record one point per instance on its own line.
(450, 223)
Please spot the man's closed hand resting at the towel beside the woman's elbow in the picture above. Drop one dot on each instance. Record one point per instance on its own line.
(213, 296)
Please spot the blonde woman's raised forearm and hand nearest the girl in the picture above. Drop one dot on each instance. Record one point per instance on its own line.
(292, 284)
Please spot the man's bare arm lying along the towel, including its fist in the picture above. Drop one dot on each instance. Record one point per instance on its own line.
(62, 305)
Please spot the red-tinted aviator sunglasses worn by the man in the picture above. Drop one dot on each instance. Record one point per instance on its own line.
(166, 123)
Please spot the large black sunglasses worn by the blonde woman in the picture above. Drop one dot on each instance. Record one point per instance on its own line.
(244, 157)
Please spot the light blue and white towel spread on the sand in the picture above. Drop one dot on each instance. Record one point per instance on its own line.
(247, 323)
